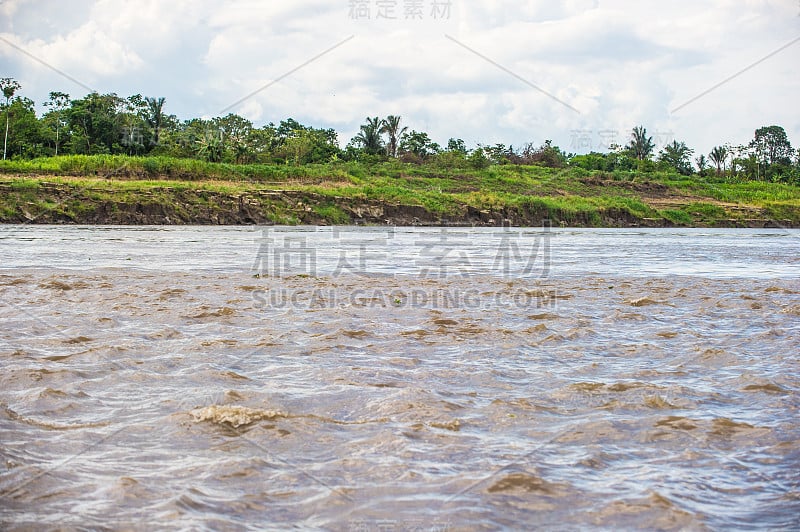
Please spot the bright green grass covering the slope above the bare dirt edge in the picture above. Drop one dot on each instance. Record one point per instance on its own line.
(570, 195)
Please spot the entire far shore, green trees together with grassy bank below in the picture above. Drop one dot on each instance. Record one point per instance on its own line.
(107, 159)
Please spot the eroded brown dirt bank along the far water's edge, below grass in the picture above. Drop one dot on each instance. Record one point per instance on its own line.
(66, 203)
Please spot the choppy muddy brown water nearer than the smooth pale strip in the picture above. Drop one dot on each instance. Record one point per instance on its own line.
(492, 417)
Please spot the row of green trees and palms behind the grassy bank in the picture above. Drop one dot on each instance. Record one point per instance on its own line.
(137, 125)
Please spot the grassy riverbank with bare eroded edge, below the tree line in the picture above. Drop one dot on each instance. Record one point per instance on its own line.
(155, 191)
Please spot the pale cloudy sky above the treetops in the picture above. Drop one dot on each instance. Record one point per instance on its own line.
(579, 72)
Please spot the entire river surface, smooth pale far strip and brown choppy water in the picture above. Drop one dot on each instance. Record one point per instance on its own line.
(399, 379)
